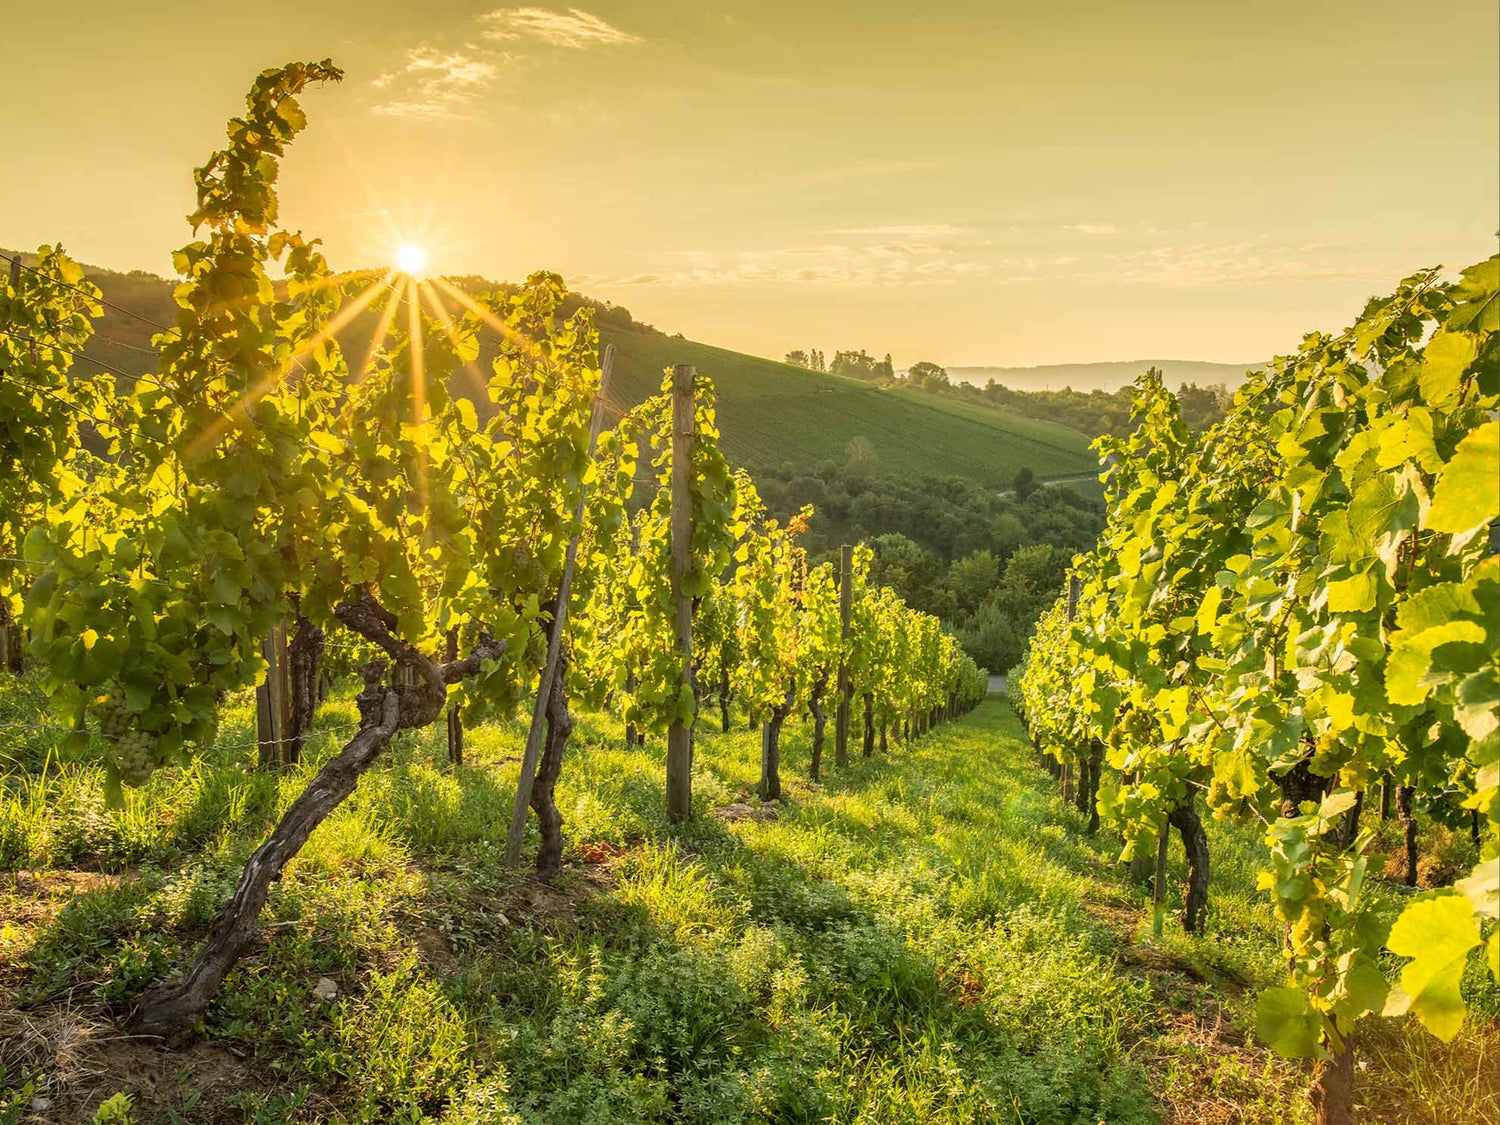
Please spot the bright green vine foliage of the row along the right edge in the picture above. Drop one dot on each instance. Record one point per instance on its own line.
(1292, 607)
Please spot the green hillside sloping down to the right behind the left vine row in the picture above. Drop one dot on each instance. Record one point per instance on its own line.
(772, 415)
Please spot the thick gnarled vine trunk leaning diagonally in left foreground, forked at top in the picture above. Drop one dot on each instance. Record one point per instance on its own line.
(416, 700)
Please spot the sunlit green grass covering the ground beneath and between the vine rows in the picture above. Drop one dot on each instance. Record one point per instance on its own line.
(926, 938)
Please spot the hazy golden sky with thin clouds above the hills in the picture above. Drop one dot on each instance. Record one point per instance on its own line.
(970, 184)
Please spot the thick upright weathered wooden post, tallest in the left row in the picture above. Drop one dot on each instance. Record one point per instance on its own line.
(680, 736)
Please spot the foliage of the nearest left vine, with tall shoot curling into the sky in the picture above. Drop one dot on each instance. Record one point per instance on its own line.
(251, 478)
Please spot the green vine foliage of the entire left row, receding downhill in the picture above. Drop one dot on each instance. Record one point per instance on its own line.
(254, 478)
